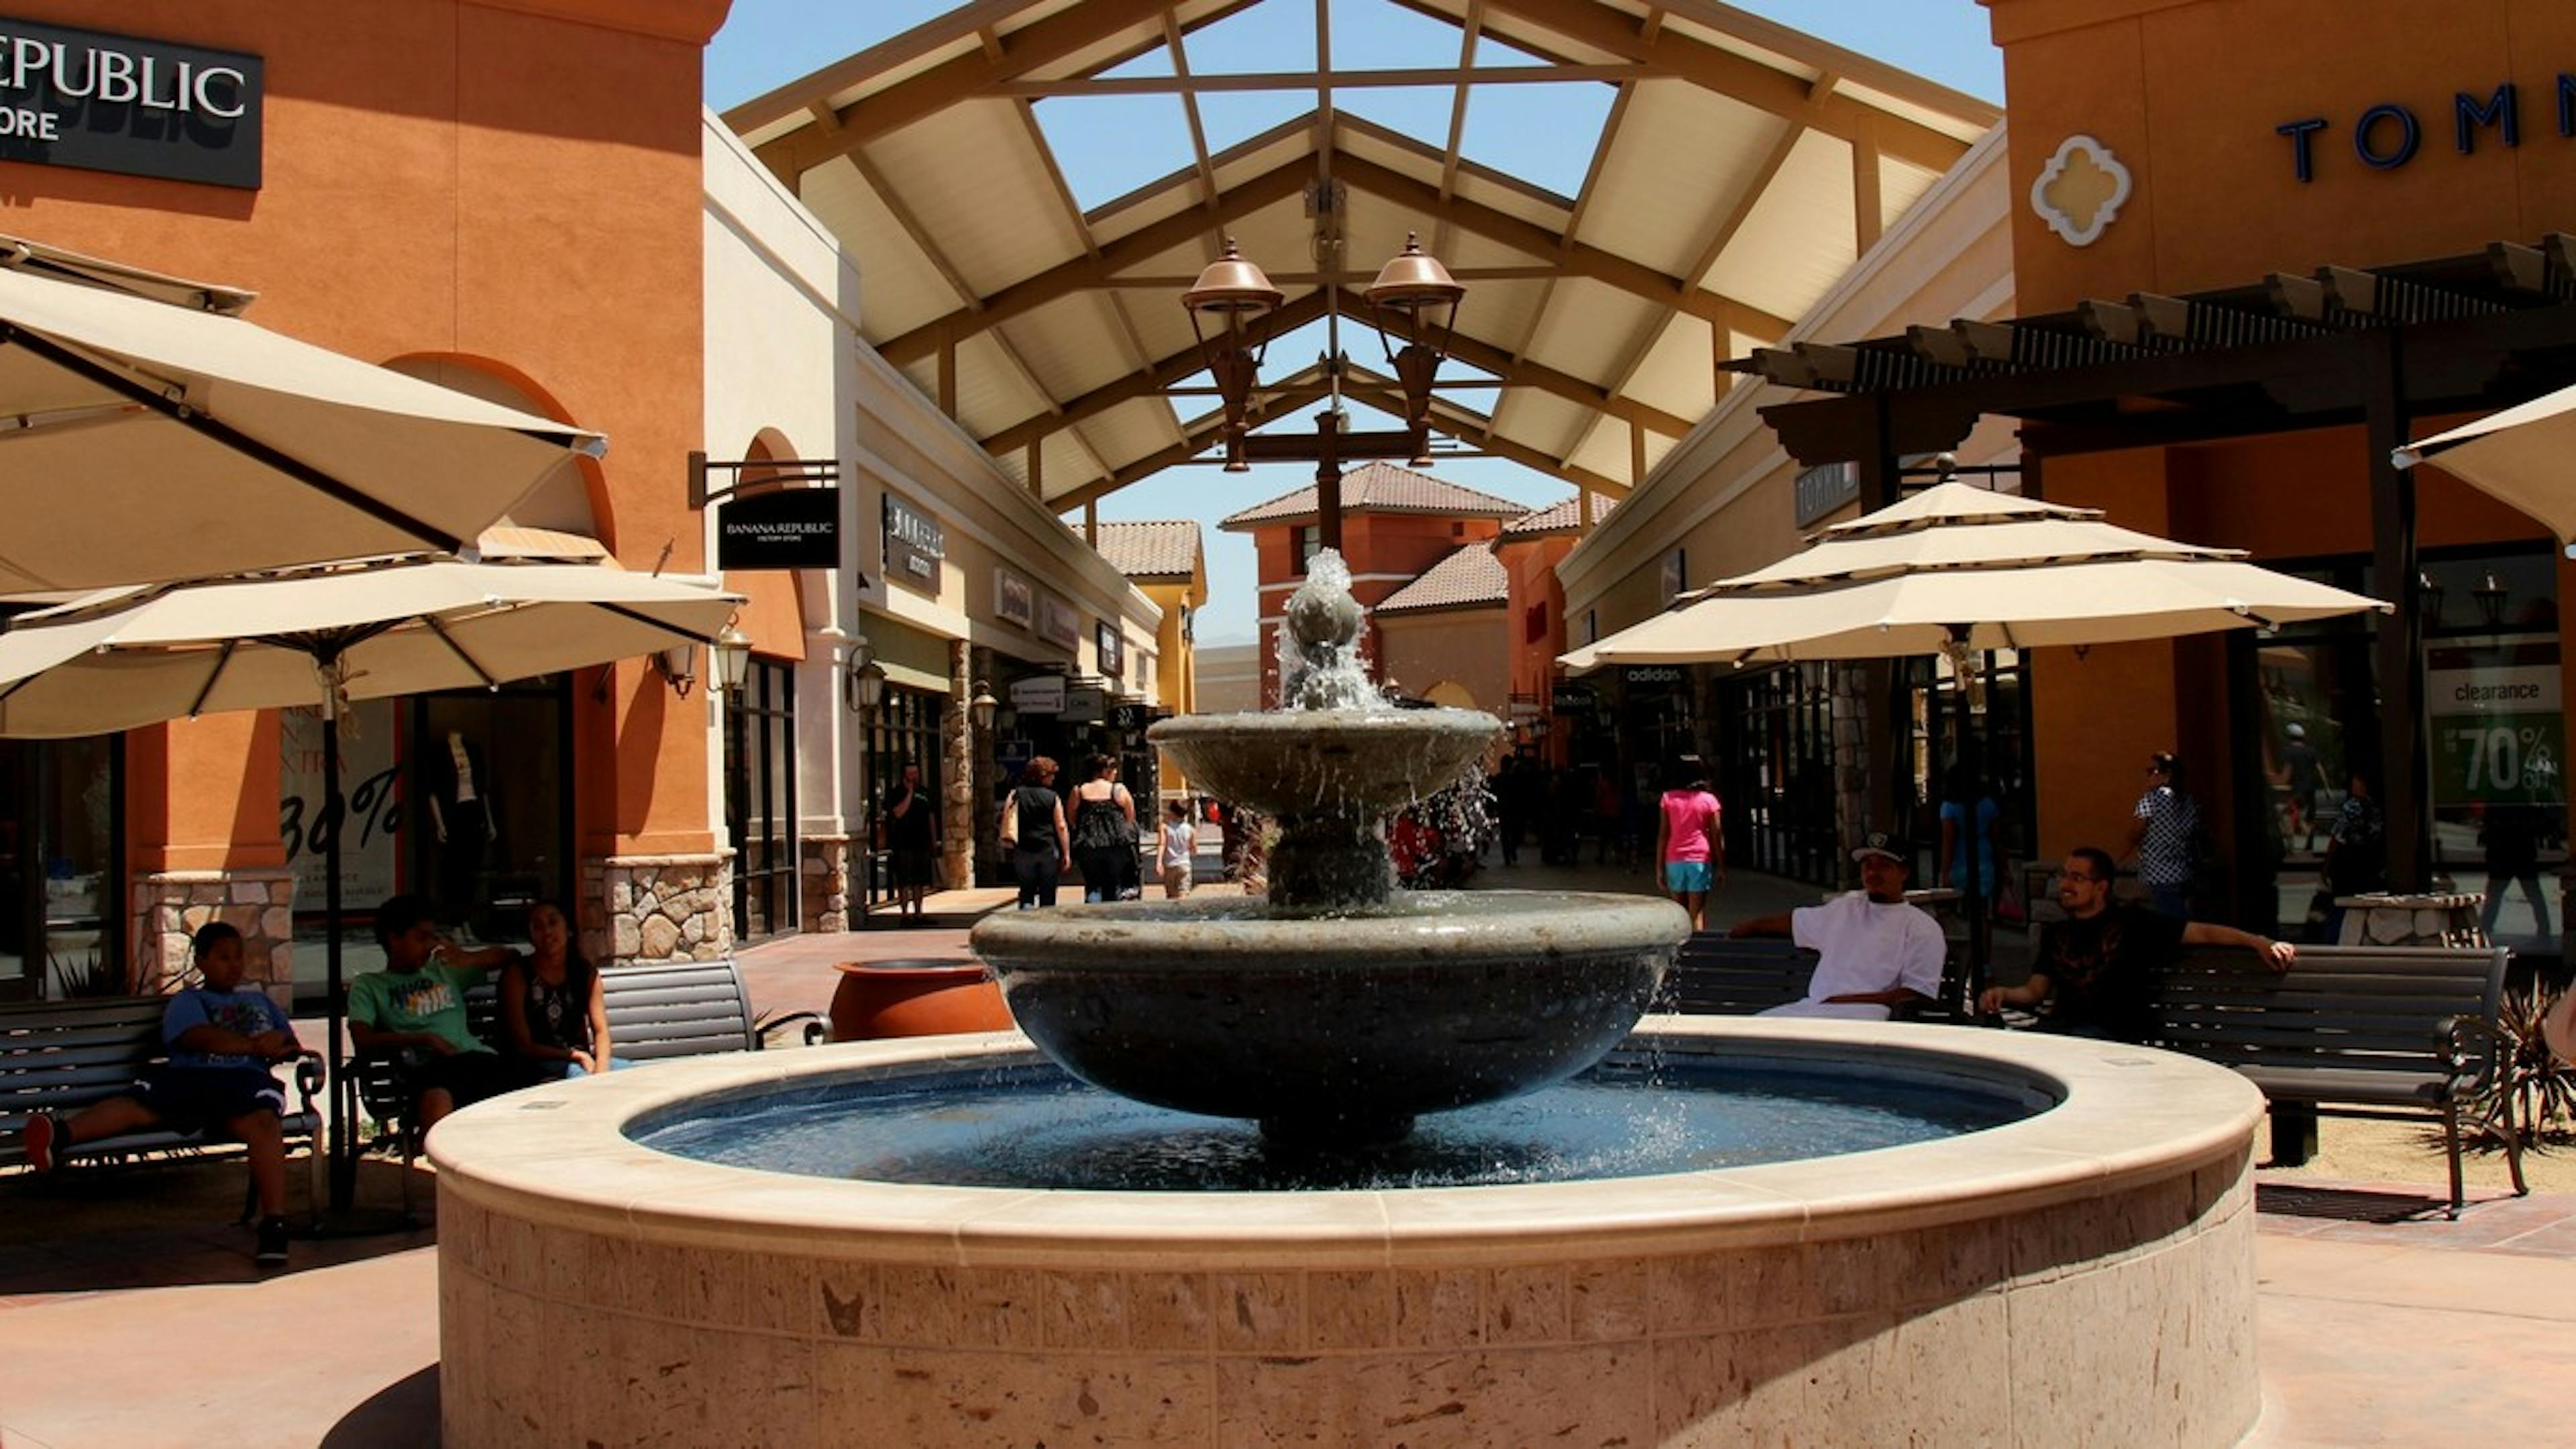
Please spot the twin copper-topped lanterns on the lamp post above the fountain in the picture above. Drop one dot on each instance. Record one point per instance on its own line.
(1413, 300)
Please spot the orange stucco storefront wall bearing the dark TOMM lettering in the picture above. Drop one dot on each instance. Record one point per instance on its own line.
(2188, 97)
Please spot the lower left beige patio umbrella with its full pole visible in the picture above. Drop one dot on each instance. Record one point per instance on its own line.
(326, 636)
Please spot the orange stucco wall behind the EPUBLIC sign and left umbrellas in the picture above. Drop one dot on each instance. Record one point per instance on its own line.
(506, 182)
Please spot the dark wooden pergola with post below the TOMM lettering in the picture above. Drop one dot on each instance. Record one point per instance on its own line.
(2289, 352)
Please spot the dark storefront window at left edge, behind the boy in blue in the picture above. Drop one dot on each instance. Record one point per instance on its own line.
(61, 850)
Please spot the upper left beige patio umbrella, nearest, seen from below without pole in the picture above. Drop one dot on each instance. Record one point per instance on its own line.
(151, 434)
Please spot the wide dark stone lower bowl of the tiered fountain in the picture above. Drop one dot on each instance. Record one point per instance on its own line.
(1333, 1030)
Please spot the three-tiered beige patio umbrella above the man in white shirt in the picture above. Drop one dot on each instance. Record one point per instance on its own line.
(1959, 571)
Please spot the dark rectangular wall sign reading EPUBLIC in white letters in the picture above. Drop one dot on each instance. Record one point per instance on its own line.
(102, 102)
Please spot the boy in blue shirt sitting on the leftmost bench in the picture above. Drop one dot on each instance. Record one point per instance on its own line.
(223, 1040)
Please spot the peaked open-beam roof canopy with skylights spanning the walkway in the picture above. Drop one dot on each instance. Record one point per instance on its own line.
(1740, 174)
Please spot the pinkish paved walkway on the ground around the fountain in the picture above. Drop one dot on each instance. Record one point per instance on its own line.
(130, 1314)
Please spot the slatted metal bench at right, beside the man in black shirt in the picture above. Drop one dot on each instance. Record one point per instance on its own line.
(2361, 1033)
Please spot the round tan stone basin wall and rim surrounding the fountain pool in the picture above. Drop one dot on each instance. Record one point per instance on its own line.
(2075, 1278)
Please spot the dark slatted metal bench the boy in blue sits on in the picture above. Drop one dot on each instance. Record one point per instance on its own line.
(63, 1056)
